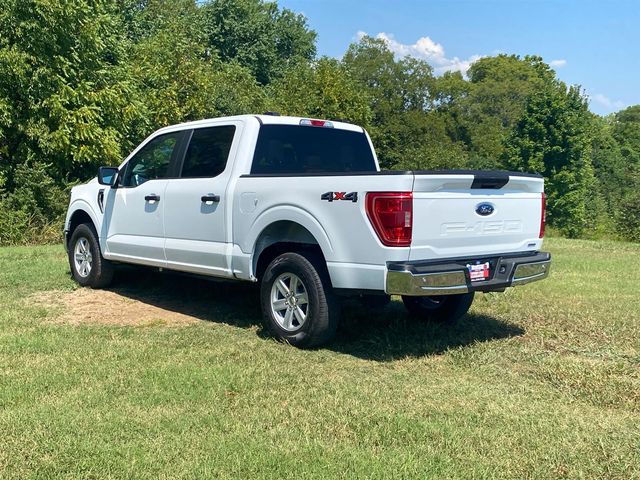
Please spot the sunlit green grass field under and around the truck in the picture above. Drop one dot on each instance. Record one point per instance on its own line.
(540, 382)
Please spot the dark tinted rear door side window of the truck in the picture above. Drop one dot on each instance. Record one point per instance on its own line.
(208, 151)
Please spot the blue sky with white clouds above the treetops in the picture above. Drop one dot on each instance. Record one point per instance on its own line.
(594, 44)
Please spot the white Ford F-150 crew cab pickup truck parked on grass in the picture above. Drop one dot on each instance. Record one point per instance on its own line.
(301, 206)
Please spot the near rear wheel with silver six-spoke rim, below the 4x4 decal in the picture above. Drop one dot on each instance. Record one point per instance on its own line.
(289, 281)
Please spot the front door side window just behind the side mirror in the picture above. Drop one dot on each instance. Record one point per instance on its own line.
(152, 161)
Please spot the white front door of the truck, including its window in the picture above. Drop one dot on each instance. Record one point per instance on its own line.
(134, 211)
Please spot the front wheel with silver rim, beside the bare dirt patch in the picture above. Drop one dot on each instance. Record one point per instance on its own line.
(88, 266)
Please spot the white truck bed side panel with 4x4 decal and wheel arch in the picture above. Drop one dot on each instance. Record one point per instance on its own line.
(351, 248)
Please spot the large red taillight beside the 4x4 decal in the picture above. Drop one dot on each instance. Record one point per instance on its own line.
(391, 215)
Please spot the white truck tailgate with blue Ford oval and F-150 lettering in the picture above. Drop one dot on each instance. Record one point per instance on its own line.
(475, 213)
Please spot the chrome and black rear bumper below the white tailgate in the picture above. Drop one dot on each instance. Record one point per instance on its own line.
(451, 276)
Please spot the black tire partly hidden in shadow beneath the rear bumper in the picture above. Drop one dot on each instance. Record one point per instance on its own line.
(443, 308)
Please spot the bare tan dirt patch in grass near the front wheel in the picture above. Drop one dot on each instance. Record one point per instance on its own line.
(104, 307)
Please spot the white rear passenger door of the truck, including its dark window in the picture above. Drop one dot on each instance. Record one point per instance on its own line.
(195, 212)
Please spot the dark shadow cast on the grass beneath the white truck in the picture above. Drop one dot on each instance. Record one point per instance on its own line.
(382, 334)
